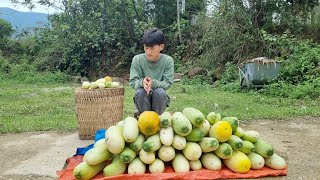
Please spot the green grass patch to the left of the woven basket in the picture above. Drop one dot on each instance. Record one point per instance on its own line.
(30, 107)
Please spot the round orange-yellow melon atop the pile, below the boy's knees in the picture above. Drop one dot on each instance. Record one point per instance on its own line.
(149, 123)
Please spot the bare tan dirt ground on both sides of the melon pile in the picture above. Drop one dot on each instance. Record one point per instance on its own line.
(38, 155)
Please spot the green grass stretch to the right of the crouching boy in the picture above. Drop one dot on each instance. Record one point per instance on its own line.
(245, 106)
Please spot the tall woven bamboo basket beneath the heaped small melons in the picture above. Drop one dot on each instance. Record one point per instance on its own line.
(98, 108)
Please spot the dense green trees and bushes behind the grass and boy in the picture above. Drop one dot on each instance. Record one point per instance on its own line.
(94, 38)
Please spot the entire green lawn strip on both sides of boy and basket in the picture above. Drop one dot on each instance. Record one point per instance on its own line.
(51, 106)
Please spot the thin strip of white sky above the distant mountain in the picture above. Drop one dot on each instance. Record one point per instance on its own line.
(38, 8)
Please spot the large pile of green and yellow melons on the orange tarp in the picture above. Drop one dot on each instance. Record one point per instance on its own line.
(187, 141)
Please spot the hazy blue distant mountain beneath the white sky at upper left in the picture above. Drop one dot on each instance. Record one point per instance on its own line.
(23, 20)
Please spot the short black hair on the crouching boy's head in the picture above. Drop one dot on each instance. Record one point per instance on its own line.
(153, 37)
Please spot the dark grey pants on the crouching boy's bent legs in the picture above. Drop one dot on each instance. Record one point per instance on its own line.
(157, 100)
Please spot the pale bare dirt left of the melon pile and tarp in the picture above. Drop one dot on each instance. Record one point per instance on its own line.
(36, 155)
